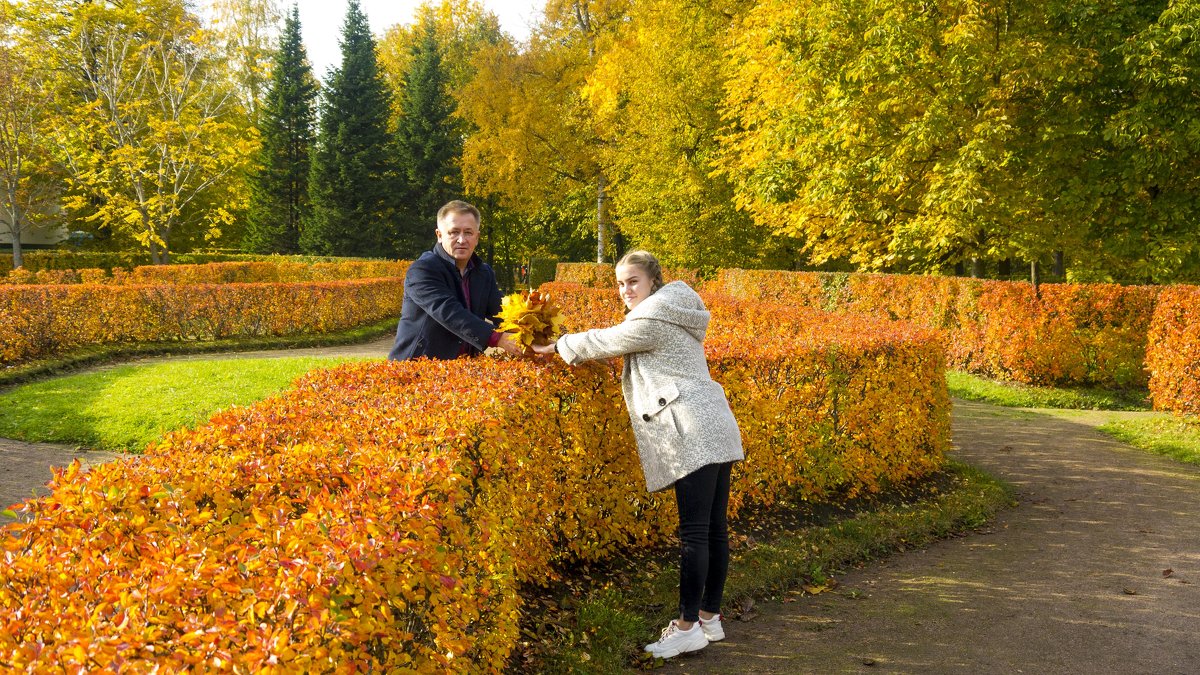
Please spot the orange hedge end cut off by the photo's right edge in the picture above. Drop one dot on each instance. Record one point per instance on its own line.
(1174, 355)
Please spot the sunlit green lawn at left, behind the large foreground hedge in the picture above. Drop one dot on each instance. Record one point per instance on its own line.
(125, 408)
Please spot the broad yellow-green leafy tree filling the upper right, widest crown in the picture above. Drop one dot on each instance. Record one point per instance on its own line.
(904, 135)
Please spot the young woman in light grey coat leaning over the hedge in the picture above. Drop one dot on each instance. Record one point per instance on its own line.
(686, 433)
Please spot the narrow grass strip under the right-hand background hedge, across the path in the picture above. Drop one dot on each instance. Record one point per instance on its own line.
(975, 389)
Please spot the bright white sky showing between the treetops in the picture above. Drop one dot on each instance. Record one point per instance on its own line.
(321, 22)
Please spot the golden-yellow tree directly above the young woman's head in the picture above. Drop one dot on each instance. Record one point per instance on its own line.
(663, 109)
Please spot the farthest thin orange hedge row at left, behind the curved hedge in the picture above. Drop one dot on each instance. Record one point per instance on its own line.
(257, 272)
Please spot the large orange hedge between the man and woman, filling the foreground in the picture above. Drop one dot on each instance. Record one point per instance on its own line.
(379, 517)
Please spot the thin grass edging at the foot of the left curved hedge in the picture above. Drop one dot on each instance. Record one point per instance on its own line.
(115, 354)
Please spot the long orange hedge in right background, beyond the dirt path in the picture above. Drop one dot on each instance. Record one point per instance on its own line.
(1073, 334)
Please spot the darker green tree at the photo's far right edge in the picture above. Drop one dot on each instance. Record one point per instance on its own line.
(1149, 226)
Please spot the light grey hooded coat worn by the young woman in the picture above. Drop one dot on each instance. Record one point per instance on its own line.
(681, 417)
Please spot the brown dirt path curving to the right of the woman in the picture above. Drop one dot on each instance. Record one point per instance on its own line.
(1097, 571)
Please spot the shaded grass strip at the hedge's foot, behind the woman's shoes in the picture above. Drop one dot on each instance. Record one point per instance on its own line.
(607, 629)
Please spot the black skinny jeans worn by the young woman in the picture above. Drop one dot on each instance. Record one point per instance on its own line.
(704, 498)
